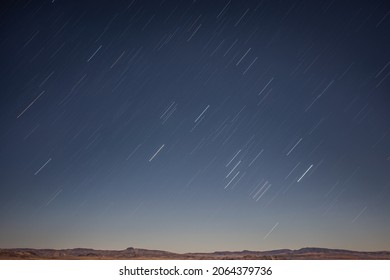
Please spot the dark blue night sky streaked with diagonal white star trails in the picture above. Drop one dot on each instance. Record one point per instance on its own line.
(195, 125)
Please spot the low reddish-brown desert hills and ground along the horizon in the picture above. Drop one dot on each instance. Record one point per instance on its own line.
(135, 253)
